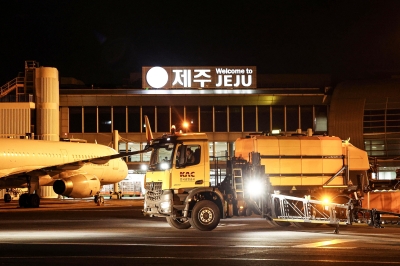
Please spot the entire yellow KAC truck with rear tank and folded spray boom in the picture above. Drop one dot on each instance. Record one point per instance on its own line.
(288, 173)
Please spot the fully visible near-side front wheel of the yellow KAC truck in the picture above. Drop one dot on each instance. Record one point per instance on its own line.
(205, 215)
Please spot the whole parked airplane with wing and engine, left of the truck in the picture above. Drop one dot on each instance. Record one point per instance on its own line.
(75, 170)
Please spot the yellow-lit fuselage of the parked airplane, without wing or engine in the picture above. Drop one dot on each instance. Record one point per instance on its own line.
(19, 156)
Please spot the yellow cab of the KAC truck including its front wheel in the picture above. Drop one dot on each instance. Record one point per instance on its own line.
(178, 176)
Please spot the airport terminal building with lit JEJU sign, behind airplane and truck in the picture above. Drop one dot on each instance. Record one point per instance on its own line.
(224, 104)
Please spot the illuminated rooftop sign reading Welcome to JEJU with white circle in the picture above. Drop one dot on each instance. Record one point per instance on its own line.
(207, 77)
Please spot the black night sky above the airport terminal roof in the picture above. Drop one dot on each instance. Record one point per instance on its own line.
(102, 42)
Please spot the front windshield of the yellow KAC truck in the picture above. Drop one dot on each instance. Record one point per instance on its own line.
(161, 156)
